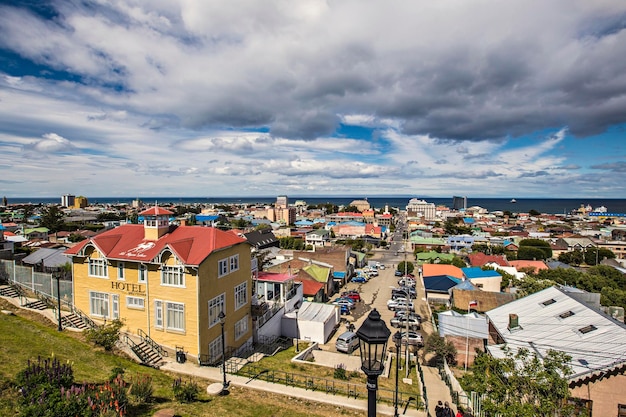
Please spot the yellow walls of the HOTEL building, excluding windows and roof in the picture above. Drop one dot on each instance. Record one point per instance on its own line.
(195, 296)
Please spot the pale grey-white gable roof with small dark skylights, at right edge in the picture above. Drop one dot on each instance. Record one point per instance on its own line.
(554, 319)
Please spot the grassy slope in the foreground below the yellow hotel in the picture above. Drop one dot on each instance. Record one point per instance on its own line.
(27, 335)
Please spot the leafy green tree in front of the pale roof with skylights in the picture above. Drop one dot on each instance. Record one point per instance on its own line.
(521, 384)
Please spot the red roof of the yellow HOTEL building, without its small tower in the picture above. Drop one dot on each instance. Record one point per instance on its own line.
(191, 244)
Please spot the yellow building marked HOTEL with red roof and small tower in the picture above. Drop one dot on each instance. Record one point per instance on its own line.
(168, 282)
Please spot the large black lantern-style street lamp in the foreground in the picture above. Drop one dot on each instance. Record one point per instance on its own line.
(373, 336)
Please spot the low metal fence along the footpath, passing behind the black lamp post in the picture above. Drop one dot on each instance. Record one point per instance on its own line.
(329, 386)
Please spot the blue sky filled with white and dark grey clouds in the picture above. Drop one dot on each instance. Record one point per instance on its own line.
(484, 98)
